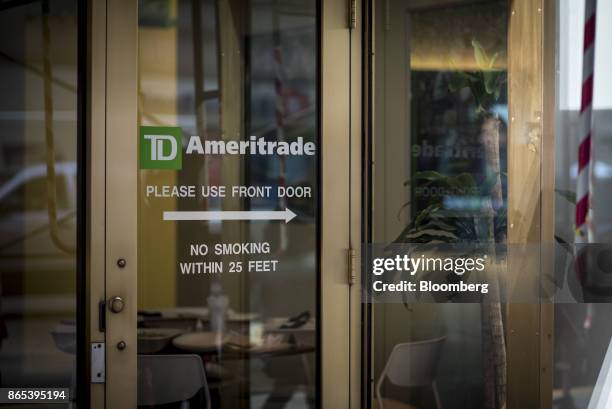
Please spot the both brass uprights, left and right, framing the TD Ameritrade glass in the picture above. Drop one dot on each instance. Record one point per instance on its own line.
(112, 219)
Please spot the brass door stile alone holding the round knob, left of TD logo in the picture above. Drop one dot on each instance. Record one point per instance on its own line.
(121, 199)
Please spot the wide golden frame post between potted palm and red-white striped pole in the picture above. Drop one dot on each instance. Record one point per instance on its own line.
(531, 76)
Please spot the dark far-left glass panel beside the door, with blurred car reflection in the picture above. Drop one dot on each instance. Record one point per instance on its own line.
(38, 193)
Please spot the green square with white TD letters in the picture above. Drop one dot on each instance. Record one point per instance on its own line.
(161, 147)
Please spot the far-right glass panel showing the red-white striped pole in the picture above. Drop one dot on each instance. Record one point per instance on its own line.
(583, 332)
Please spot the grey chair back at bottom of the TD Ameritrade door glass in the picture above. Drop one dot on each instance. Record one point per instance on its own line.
(164, 379)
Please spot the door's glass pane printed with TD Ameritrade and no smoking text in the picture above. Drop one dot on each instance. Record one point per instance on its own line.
(227, 280)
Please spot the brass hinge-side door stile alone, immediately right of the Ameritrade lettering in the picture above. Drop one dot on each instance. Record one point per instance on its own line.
(335, 151)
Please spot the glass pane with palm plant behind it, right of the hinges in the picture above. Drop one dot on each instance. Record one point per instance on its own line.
(440, 115)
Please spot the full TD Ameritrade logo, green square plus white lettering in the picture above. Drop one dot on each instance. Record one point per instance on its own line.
(161, 147)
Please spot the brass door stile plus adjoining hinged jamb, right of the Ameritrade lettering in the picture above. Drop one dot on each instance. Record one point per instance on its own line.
(342, 172)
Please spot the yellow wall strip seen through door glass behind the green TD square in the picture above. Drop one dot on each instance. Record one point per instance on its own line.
(158, 92)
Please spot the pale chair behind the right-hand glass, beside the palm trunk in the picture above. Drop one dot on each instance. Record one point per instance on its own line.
(412, 364)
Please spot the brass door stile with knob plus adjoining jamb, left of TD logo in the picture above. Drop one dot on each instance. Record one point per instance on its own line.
(112, 193)
